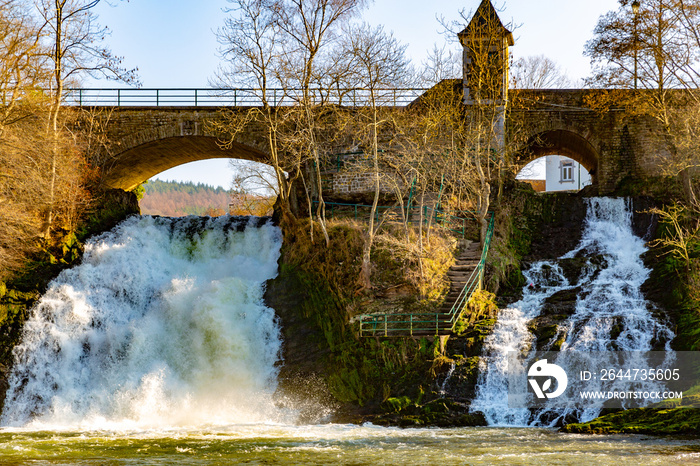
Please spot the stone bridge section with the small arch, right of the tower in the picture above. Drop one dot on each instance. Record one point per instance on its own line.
(611, 145)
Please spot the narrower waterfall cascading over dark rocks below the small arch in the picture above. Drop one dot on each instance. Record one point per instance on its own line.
(610, 314)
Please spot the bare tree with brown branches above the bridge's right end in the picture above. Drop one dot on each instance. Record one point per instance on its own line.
(650, 50)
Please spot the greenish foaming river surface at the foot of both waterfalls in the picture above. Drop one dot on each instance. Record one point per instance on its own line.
(340, 444)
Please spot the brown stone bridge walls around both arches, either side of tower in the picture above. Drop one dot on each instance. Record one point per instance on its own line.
(145, 141)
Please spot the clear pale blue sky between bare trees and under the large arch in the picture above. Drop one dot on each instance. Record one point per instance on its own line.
(172, 42)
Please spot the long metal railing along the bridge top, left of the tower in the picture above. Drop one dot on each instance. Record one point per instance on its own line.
(196, 97)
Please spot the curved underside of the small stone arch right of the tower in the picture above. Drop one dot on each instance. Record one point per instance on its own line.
(561, 142)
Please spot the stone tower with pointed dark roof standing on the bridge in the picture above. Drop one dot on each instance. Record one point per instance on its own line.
(485, 42)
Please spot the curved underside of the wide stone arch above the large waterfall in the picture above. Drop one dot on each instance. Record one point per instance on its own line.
(140, 162)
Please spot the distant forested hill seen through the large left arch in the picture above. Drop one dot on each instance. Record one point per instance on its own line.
(175, 199)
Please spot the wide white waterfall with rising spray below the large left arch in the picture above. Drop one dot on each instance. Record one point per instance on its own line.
(163, 324)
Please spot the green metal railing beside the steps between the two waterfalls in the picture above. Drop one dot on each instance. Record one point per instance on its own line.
(388, 325)
